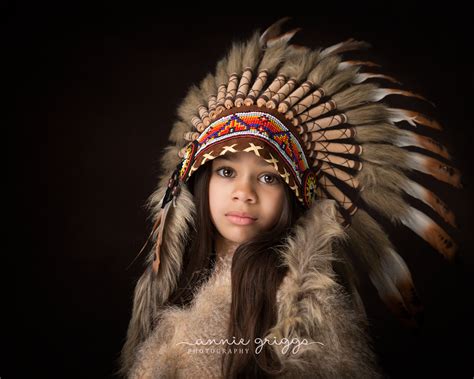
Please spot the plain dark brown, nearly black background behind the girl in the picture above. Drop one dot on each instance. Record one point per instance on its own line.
(96, 92)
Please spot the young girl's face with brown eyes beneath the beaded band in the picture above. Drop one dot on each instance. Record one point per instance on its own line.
(246, 196)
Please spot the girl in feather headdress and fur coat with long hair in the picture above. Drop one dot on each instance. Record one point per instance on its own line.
(258, 214)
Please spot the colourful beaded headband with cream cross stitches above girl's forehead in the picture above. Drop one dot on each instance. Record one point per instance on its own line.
(255, 130)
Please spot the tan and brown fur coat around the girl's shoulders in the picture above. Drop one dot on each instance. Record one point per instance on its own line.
(313, 311)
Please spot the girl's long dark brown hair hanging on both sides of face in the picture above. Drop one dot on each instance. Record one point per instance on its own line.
(257, 271)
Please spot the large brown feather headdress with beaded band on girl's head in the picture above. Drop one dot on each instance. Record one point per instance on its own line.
(323, 122)
